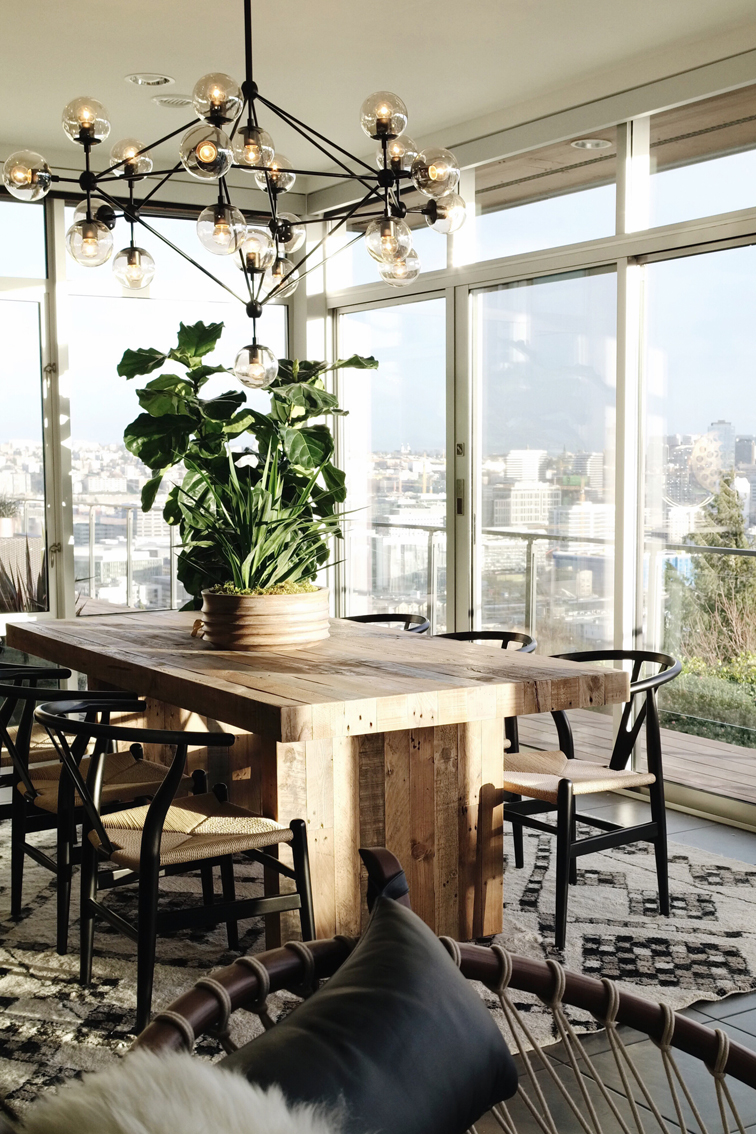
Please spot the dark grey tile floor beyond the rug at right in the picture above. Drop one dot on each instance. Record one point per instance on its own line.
(735, 1015)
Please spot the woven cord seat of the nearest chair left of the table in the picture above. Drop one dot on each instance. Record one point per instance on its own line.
(199, 827)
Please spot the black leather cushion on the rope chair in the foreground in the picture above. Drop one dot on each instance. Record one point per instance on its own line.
(398, 1036)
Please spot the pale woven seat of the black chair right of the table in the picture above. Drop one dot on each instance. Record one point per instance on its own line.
(538, 775)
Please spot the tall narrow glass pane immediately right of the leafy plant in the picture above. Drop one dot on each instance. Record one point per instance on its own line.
(395, 445)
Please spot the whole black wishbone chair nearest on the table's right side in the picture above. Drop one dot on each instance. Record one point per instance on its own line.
(551, 782)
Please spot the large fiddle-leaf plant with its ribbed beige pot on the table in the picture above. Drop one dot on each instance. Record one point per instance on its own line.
(256, 521)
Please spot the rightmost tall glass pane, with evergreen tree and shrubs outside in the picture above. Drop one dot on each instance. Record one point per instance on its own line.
(700, 554)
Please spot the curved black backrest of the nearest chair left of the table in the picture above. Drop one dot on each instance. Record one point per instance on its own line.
(61, 721)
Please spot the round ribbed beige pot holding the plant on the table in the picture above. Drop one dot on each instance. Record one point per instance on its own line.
(266, 622)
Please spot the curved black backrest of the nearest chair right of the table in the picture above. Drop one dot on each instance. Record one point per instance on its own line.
(634, 716)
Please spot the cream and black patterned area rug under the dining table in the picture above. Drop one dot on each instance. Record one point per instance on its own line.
(52, 1029)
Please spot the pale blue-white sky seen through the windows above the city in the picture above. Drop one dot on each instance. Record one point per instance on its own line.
(701, 349)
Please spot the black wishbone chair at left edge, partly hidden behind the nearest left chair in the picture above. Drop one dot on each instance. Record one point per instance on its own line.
(45, 798)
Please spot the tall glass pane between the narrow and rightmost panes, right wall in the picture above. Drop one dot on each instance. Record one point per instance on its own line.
(545, 369)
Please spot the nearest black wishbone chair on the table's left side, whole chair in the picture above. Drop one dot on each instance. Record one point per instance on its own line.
(168, 836)
